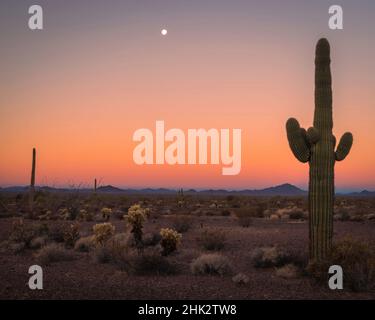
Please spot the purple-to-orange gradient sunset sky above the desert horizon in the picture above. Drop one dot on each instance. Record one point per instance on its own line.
(101, 69)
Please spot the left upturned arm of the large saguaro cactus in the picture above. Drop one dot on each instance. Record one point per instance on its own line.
(297, 141)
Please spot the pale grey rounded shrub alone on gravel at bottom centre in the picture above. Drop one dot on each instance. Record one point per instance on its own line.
(212, 264)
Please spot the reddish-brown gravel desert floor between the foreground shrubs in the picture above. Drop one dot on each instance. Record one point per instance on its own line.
(82, 277)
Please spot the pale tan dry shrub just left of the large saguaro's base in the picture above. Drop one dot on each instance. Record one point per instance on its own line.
(268, 257)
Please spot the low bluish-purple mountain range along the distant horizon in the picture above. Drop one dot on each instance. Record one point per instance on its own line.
(281, 190)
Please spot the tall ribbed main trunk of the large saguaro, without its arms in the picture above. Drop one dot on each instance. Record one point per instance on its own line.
(322, 160)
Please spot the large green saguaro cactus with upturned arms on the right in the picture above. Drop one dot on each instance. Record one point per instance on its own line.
(317, 147)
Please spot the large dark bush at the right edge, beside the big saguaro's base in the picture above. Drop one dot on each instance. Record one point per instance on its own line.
(357, 260)
